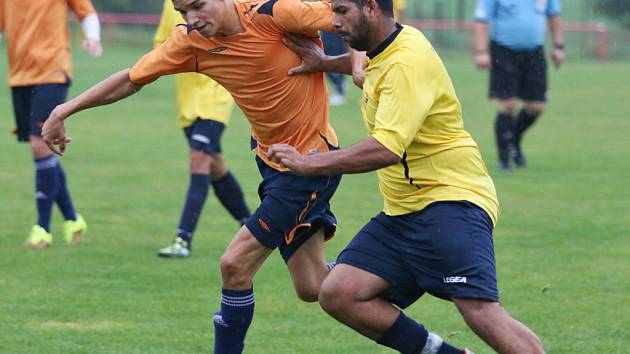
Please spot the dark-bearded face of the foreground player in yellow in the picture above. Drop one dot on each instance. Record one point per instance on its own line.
(351, 23)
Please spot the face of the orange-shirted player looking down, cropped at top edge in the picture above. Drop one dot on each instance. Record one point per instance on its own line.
(204, 16)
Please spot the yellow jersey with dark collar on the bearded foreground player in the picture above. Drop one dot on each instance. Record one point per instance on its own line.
(409, 105)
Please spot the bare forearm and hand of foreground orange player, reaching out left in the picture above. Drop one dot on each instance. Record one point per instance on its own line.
(110, 90)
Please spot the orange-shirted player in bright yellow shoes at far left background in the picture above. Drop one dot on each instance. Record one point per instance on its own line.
(40, 72)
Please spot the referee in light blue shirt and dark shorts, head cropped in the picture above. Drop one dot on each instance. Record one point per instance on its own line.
(509, 38)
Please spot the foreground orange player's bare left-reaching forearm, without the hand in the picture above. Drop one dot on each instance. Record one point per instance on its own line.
(110, 90)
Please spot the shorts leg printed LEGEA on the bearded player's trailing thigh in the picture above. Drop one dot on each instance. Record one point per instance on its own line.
(451, 251)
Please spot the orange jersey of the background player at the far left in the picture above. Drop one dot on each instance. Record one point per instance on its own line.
(38, 39)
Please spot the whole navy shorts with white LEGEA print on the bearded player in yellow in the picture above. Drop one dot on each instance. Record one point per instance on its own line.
(445, 250)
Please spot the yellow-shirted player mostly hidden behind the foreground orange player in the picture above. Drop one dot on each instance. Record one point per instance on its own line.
(204, 111)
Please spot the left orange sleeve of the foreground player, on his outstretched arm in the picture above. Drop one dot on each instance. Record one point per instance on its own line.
(175, 55)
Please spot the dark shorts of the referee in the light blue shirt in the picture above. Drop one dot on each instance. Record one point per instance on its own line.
(521, 74)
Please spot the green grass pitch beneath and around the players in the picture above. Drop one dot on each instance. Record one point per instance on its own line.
(565, 227)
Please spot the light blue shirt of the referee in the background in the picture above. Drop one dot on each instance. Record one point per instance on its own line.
(517, 24)
